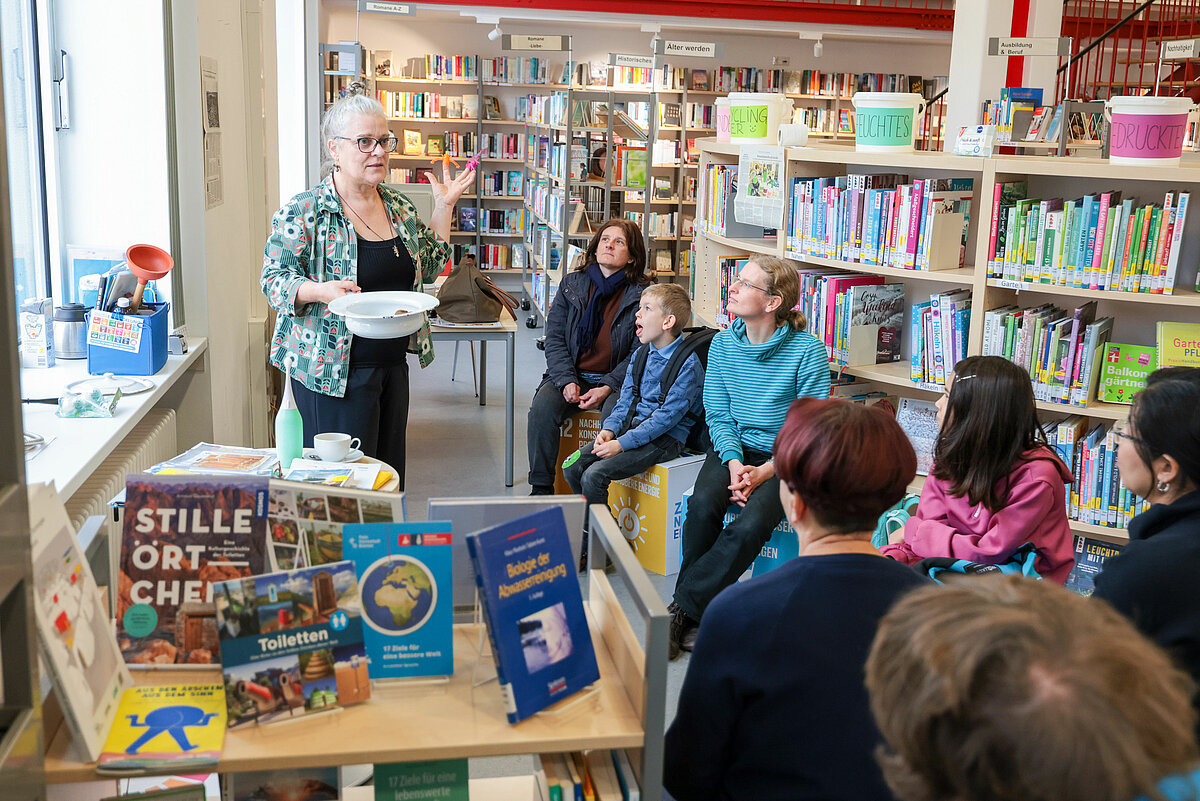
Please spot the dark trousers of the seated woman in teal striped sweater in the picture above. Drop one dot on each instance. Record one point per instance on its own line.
(715, 556)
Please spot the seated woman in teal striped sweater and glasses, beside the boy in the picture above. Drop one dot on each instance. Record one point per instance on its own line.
(755, 370)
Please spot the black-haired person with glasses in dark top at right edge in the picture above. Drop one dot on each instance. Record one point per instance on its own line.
(1156, 580)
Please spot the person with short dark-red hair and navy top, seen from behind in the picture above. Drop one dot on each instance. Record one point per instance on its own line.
(773, 706)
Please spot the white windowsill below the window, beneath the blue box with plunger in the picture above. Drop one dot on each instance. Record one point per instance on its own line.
(80, 445)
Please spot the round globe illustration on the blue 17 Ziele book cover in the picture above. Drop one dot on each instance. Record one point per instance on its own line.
(399, 595)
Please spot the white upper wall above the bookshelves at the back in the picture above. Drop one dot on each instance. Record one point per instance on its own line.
(412, 37)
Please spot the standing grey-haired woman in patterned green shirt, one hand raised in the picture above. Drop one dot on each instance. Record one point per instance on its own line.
(350, 234)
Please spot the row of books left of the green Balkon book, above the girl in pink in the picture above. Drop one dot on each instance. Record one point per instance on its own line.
(1061, 351)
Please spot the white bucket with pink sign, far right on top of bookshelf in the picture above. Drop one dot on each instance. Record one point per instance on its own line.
(1147, 130)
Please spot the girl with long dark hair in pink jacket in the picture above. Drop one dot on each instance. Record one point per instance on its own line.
(995, 484)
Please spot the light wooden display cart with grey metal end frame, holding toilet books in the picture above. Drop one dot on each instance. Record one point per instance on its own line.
(465, 718)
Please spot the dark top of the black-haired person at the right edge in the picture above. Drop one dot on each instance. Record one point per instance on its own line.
(1156, 580)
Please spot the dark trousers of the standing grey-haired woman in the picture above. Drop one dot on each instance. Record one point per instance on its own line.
(375, 409)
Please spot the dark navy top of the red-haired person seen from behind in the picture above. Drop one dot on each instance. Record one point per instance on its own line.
(773, 706)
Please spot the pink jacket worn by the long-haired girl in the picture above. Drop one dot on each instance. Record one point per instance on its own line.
(1036, 511)
